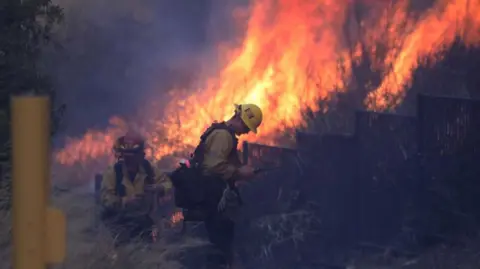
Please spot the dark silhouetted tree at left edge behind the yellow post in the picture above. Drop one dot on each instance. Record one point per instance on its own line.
(26, 27)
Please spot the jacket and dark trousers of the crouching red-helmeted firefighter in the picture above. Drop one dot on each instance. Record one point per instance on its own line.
(127, 207)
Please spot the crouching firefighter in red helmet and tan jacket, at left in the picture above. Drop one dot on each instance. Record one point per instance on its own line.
(126, 188)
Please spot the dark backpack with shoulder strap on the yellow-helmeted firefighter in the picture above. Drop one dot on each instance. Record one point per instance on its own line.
(191, 190)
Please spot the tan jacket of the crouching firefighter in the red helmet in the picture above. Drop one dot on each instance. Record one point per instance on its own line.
(112, 200)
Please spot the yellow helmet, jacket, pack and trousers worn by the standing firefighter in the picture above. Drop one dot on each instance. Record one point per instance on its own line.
(208, 183)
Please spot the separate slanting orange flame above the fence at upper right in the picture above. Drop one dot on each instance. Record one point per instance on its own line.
(418, 40)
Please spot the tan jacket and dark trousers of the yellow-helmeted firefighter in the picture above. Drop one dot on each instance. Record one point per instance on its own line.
(219, 163)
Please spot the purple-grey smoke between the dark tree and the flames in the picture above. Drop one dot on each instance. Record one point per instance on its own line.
(116, 55)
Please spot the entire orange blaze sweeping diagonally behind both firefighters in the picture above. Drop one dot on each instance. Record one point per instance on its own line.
(294, 54)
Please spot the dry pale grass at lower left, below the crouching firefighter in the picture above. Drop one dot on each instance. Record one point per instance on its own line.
(89, 247)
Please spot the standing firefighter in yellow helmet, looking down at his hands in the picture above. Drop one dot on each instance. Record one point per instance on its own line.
(221, 167)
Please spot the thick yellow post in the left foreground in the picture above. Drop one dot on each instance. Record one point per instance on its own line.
(32, 219)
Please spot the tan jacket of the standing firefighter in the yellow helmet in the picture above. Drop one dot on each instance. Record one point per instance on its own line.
(221, 155)
